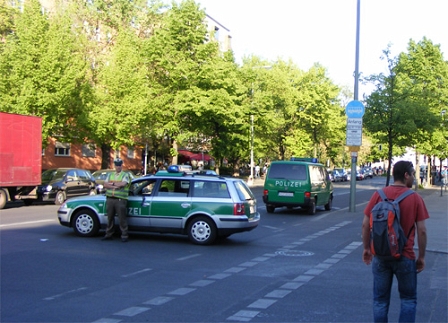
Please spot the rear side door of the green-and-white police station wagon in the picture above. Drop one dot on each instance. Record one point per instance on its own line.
(171, 203)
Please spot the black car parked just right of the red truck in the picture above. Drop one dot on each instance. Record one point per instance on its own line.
(59, 184)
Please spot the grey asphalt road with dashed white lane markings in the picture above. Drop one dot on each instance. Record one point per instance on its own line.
(293, 268)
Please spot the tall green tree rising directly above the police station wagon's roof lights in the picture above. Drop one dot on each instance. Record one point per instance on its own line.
(177, 56)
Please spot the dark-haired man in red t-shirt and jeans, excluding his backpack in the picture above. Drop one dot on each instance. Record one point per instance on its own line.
(413, 215)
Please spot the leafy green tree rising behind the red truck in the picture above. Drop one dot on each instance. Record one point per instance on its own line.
(43, 73)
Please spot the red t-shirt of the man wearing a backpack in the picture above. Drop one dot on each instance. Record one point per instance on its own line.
(412, 210)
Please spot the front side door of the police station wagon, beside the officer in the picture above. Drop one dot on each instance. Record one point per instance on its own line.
(139, 204)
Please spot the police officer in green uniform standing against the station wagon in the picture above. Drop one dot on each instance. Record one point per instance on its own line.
(117, 190)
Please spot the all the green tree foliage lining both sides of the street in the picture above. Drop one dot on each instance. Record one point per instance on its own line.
(136, 73)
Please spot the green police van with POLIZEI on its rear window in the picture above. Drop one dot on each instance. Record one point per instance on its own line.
(298, 182)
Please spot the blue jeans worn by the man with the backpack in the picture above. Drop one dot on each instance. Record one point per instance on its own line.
(406, 272)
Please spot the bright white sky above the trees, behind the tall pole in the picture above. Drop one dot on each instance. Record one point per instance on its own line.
(324, 31)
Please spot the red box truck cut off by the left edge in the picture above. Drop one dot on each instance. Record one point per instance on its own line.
(20, 157)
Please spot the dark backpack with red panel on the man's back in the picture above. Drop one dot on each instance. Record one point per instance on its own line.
(387, 238)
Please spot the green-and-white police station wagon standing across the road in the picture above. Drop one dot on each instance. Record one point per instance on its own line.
(201, 207)
